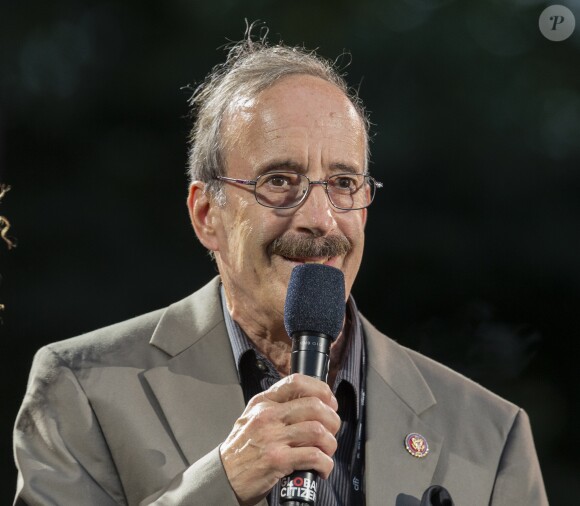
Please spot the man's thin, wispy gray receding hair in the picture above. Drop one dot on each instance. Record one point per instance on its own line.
(251, 67)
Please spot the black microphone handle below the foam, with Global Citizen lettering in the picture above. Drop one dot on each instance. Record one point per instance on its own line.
(310, 356)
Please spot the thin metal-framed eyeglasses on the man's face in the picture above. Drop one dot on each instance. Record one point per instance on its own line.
(284, 190)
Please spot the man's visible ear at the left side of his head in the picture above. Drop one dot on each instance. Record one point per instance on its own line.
(203, 212)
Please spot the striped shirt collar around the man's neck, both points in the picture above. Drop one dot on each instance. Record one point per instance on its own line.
(350, 371)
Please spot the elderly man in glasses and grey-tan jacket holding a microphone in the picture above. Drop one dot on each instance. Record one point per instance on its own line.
(194, 404)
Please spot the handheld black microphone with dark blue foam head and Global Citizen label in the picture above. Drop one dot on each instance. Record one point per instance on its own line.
(313, 317)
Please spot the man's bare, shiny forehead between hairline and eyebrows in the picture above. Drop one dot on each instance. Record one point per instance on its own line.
(298, 116)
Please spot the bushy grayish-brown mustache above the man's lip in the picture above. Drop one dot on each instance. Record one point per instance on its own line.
(303, 247)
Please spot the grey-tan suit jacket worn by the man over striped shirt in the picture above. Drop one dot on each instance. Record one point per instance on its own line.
(135, 413)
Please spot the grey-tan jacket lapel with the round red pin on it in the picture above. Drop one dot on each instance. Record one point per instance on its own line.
(397, 395)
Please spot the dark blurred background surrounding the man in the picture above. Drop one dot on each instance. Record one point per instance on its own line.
(472, 246)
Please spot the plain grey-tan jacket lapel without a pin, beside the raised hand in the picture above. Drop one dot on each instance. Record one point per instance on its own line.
(198, 390)
